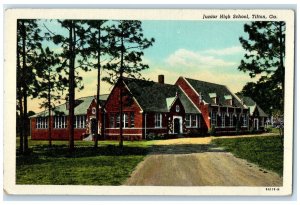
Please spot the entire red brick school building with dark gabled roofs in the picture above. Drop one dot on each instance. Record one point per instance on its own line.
(189, 107)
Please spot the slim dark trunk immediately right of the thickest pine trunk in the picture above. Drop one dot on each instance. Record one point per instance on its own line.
(98, 87)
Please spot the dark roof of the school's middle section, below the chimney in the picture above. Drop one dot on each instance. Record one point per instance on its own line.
(153, 96)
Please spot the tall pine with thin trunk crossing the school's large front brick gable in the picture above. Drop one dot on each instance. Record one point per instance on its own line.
(126, 45)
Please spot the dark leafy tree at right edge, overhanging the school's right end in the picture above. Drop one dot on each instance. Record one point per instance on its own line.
(265, 55)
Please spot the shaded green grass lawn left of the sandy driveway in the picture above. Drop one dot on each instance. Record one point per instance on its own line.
(107, 165)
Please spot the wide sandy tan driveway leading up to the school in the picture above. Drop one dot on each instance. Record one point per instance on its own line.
(193, 162)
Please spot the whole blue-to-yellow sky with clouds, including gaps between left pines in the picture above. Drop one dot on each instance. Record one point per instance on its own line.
(202, 50)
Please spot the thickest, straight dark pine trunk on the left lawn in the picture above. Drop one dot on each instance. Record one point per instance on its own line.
(71, 87)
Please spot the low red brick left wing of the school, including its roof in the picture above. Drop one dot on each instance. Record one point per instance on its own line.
(85, 115)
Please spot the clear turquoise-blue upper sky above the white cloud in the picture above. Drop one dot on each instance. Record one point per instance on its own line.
(191, 35)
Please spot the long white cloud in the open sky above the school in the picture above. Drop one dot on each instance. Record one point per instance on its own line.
(189, 59)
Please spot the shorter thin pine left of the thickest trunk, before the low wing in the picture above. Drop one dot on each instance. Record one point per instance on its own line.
(50, 84)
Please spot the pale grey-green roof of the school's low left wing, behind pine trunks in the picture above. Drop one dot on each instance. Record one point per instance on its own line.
(82, 103)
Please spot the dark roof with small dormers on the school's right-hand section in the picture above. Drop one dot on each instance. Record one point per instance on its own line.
(210, 89)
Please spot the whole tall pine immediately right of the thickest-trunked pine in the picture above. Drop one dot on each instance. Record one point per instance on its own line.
(97, 40)
